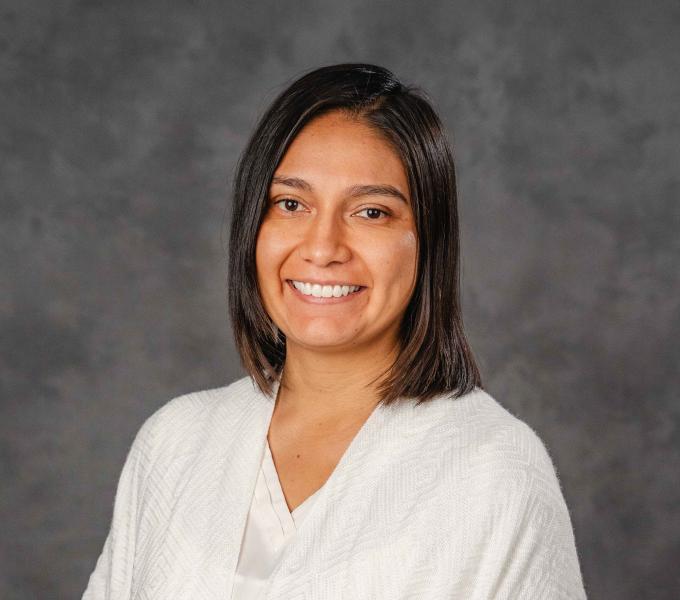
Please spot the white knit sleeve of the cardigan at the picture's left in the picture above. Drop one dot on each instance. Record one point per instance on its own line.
(112, 575)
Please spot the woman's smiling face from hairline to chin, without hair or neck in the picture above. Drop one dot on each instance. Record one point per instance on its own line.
(339, 215)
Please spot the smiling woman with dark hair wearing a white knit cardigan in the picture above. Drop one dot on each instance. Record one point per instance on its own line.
(360, 457)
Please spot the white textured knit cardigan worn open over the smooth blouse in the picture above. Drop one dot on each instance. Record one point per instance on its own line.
(455, 498)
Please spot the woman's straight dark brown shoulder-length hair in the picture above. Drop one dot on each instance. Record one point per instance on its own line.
(434, 356)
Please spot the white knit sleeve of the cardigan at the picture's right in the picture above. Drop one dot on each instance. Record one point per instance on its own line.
(531, 551)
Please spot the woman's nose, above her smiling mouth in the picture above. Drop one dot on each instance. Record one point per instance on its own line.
(325, 240)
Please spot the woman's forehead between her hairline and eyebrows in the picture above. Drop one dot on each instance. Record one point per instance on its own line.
(337, 147)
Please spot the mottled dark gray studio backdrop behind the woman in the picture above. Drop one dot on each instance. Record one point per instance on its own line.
(120, 125)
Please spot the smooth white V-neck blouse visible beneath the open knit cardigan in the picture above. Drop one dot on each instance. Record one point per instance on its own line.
(269, 528)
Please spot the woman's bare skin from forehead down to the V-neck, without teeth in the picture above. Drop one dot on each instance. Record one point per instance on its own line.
(325, 233)
